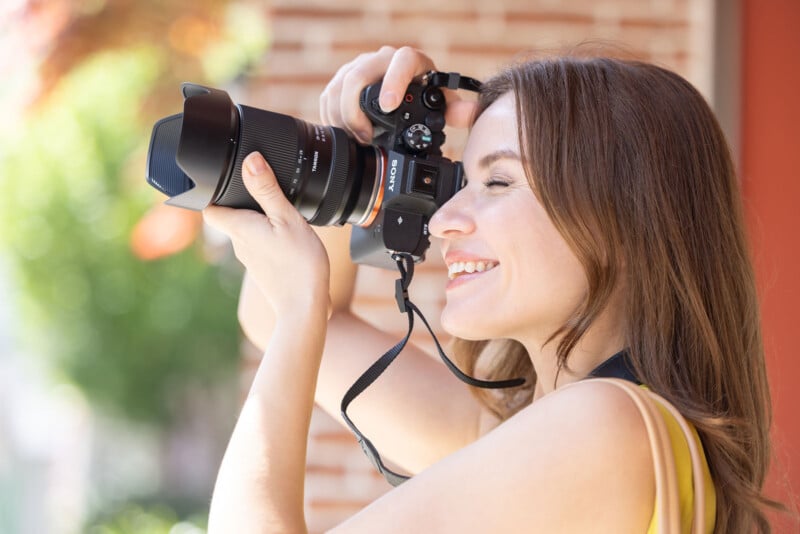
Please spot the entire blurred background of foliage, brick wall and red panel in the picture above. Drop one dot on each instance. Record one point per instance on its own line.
(121, 362)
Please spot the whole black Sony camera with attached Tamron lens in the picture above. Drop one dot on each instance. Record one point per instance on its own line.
(387, 190)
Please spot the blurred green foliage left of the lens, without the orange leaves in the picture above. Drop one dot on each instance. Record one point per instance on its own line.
(130, 333)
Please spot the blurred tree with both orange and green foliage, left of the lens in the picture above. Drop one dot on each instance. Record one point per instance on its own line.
(130, 333)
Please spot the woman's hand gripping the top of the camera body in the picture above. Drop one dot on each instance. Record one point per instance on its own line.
(339, 102)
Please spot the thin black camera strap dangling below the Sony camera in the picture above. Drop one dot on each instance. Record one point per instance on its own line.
(405, 264)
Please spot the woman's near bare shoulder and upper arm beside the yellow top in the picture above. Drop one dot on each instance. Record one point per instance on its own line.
(576, 460)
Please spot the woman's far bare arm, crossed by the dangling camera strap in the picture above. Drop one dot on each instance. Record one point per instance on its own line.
(415, 414)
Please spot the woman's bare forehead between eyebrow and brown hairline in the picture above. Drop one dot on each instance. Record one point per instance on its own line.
(495, 130)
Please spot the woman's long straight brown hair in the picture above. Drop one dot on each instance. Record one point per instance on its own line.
(634, 171)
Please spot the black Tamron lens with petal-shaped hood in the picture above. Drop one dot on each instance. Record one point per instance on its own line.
(327, 176)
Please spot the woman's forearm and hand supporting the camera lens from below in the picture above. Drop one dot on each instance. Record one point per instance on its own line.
(260, 482)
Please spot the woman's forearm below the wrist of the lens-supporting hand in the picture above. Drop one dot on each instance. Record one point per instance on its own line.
(260, 483)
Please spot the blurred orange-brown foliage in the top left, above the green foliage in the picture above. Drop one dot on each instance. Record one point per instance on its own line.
(211, 40)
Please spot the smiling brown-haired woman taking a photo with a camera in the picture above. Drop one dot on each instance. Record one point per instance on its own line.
(602, 203)
